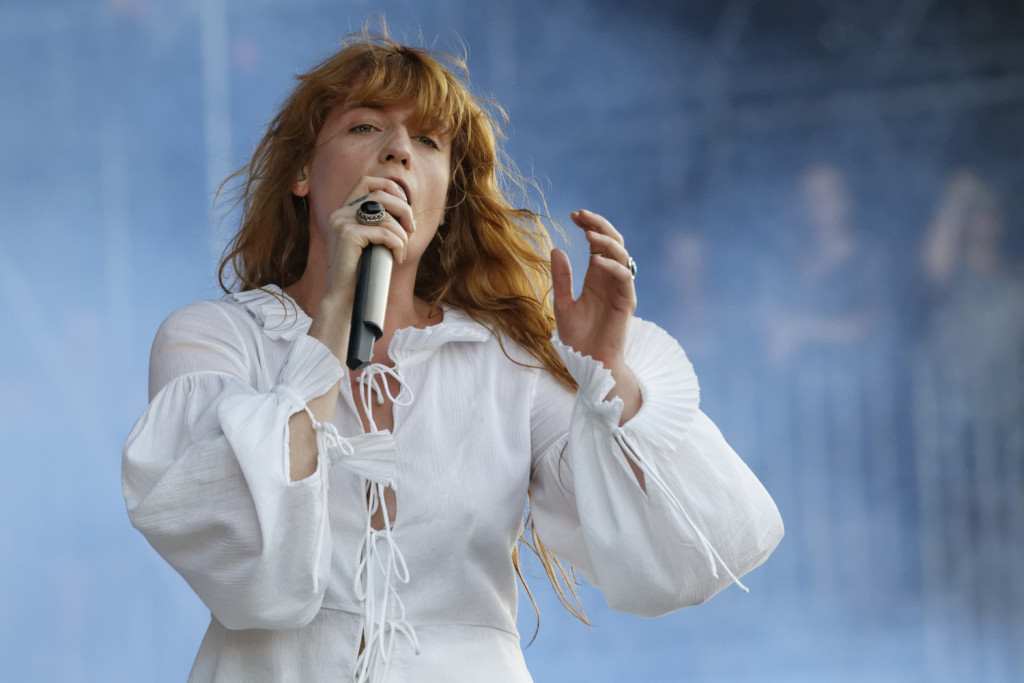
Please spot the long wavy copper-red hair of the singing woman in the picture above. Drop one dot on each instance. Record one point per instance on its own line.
(490, 259)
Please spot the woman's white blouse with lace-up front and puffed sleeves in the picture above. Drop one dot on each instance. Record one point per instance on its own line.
(302, 587)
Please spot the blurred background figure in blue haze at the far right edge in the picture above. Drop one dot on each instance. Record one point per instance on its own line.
(969, 417)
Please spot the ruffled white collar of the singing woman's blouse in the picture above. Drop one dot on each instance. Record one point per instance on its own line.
(281, 318)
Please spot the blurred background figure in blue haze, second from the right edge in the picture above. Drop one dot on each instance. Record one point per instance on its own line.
(828, 391)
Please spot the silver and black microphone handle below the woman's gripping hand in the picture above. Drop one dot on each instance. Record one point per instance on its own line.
(373, 280)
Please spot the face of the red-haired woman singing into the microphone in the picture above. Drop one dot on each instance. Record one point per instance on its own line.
(360, 142)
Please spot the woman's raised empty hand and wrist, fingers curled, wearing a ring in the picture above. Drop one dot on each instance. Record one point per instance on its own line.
(596, 324)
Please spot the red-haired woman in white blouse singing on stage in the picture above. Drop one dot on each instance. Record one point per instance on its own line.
(365, 525)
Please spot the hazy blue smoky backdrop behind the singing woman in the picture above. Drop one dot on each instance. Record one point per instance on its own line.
(689, 124)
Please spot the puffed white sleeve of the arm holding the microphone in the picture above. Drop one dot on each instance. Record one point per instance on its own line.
(205, 472)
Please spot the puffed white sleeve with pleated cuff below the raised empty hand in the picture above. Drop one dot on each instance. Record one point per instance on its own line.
(704, 520)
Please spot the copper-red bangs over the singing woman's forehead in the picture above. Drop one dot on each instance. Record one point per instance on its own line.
(403, 77)
